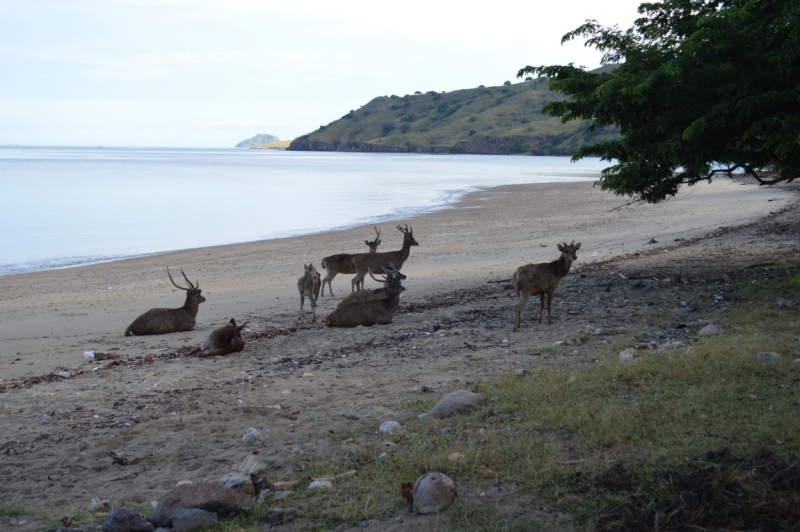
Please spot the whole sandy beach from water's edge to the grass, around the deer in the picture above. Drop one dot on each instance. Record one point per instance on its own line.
(182, 418)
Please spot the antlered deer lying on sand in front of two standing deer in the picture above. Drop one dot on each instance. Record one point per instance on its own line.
(372, 311)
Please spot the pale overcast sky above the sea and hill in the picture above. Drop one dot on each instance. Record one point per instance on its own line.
(193, 73)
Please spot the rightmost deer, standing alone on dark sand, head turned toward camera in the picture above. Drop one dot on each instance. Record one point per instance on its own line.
(542, 280)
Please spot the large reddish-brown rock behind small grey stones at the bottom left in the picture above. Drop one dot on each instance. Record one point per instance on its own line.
(224, 502)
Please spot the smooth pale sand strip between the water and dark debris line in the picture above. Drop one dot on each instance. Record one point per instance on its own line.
(49, 318)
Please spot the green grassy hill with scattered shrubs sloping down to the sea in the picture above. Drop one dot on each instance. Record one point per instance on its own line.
(488, 120)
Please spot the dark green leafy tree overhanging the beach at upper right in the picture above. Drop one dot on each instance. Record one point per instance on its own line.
(698, 88)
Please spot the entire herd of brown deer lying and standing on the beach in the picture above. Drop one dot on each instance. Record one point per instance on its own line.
(360, 307)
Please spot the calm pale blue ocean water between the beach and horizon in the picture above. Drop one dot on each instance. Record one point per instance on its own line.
(70, 206)
